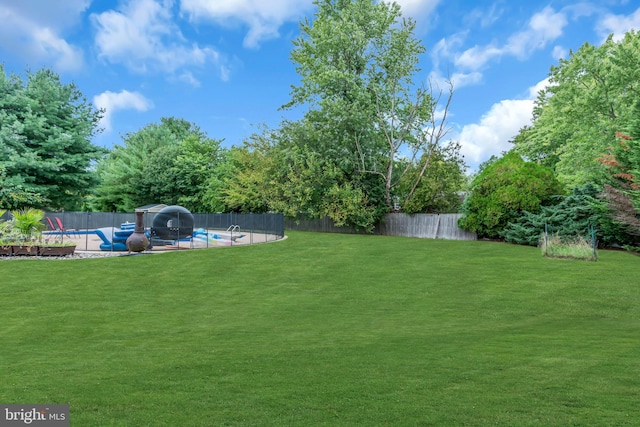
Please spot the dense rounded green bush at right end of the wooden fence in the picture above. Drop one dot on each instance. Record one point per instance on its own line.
(505, 189)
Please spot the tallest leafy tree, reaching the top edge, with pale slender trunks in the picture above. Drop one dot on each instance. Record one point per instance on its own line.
(357, 61)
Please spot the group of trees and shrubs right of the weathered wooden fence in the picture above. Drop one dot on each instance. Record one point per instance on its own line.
(578, 164)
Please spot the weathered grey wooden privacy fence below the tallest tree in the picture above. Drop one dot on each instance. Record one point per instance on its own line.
(432, 226)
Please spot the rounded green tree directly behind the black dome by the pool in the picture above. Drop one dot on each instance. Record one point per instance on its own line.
(169, 163)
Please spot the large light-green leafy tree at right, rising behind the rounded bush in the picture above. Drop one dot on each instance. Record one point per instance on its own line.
(589, 97)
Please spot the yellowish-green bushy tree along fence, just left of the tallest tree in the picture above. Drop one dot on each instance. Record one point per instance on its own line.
(272, 173)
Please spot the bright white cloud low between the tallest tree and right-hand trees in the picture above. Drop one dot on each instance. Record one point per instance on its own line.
(497, 127)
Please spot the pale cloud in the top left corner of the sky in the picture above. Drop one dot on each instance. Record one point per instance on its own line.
(32, 30)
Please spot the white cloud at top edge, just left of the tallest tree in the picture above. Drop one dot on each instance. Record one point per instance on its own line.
(263, 18)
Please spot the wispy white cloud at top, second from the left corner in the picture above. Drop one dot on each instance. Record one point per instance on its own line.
(144, 36)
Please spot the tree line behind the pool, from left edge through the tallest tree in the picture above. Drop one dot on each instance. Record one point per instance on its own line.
(370, 141)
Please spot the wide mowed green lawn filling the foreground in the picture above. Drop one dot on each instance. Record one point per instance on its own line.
(325, 329)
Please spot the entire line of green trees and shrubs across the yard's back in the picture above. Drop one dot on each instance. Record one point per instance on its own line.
(372, 141)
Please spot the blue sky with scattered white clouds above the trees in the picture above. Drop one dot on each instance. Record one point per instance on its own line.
(224, 64)
